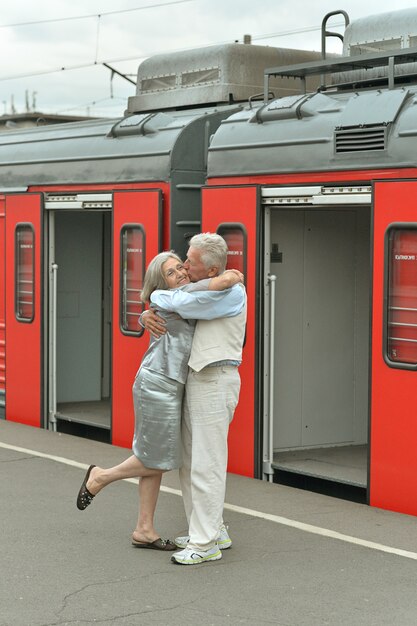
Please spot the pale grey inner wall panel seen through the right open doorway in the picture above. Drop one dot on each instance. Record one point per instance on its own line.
(316, 288)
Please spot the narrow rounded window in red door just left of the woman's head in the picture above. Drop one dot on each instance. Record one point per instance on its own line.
(132, 271)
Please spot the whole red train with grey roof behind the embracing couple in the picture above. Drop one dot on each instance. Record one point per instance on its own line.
(315, 190)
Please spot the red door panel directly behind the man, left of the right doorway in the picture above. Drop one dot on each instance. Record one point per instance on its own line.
(233, 213)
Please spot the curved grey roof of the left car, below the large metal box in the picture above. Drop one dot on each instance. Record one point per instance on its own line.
(140, 147)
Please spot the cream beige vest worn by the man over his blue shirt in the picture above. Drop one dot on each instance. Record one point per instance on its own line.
(217, 340)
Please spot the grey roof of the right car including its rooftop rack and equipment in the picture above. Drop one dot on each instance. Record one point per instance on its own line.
(365, 117)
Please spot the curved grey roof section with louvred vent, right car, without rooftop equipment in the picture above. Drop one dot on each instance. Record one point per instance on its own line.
(319, 132)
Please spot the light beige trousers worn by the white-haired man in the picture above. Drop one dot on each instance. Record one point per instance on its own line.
(210, 400)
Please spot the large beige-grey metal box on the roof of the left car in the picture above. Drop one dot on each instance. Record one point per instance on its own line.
(213, 75)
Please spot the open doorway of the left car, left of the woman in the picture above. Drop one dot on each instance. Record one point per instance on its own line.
(79, 322)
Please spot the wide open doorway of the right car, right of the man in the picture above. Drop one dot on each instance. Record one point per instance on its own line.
(319, 387)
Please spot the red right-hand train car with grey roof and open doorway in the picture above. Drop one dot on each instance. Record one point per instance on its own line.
(317, 195)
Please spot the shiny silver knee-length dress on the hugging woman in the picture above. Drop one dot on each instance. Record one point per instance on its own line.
(158, 392)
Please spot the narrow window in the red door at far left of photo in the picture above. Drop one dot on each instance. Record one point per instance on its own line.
(24, 273)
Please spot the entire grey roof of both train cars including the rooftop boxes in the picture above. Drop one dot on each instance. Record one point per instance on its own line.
(365, 117)
